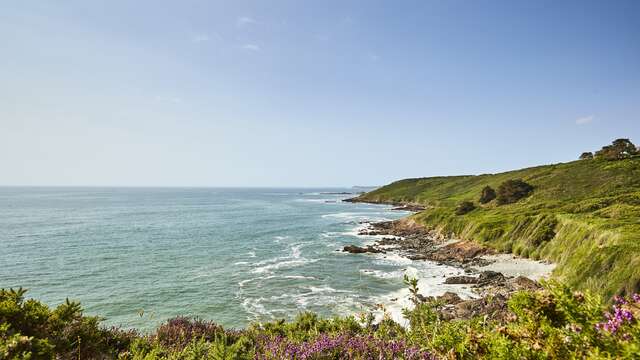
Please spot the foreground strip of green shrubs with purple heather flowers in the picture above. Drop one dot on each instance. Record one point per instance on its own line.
(551, 323)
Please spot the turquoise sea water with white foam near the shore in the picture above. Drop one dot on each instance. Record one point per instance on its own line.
(138, 256)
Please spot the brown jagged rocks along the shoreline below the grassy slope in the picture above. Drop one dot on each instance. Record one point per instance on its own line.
(409, 239)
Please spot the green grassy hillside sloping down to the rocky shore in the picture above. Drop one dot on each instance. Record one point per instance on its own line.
(583, 215)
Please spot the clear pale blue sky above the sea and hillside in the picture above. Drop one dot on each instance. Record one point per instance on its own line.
(308, 93)
